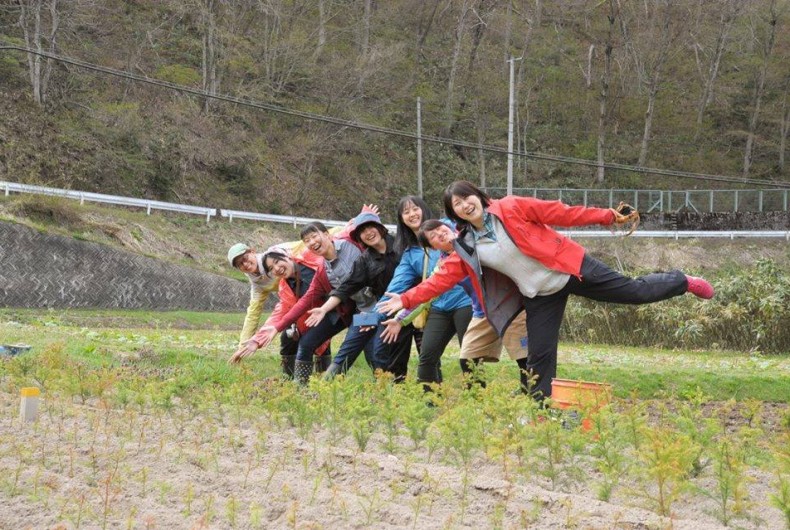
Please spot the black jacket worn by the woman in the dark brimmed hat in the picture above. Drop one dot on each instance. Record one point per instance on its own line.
(371, 269)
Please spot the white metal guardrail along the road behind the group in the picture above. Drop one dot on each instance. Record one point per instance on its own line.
(149, 205)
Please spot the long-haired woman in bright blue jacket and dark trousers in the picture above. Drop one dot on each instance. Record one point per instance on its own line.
(450, 313)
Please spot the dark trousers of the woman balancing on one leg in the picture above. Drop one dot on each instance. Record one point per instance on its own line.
(599, 282)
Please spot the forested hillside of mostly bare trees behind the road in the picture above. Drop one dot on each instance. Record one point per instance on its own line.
(694, 85)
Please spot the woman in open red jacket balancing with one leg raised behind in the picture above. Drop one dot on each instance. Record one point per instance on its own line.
(517, 262)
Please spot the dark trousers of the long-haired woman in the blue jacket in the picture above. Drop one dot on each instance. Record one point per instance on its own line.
(438, 331)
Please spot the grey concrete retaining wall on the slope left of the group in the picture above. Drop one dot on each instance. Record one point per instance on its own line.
(43, 270)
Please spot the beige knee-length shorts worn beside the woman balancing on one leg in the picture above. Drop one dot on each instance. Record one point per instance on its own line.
(481, 341)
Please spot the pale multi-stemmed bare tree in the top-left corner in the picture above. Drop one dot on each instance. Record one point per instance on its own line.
(39, 32)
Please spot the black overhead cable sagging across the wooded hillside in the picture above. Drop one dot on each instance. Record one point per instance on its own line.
(393, 132)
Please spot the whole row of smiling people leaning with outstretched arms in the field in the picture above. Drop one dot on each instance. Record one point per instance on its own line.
(492, 271)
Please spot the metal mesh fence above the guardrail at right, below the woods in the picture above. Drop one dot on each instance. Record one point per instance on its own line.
(771, 200)
